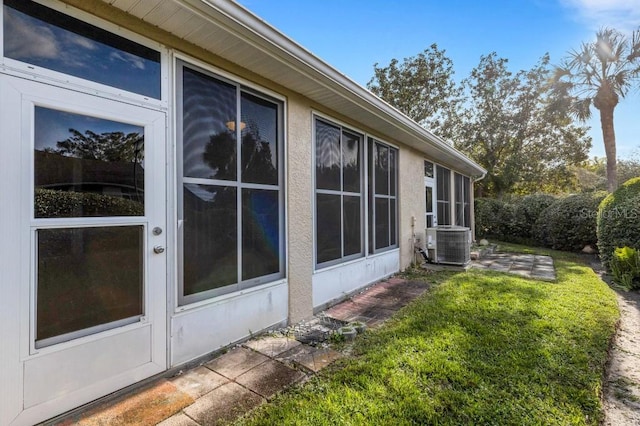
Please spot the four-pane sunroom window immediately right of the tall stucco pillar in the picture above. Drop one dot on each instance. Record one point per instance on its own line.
(339, 201)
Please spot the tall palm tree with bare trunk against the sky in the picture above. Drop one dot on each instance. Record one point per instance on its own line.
(600, 73)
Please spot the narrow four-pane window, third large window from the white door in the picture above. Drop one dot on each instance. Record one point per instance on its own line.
(383, 227)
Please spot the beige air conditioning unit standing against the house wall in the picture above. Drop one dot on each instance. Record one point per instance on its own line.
(448, 244)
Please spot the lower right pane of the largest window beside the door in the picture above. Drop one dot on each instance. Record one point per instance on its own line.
(260, 233)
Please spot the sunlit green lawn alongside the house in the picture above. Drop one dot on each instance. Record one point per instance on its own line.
(479, 348)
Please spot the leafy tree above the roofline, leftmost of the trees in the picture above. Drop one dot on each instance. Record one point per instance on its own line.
(421, 86)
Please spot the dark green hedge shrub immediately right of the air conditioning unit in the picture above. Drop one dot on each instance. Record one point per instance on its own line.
(494, 218)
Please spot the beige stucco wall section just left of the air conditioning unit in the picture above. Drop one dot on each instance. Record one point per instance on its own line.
(412, 202)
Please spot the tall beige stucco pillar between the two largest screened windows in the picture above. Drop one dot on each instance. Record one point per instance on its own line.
(300, 209)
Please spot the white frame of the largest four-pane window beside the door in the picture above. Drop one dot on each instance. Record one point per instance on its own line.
(241, 86)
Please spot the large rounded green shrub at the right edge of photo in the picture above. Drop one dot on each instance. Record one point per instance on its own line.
(619, 221)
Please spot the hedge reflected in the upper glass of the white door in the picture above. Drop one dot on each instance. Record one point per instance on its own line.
(53, 203)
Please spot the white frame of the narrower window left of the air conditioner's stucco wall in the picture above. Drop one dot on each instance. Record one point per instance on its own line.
(373, 196)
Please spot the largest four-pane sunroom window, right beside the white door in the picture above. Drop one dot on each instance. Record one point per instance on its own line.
(231, 201)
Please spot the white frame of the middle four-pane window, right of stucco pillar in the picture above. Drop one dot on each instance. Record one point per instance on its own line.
(341, 192)
